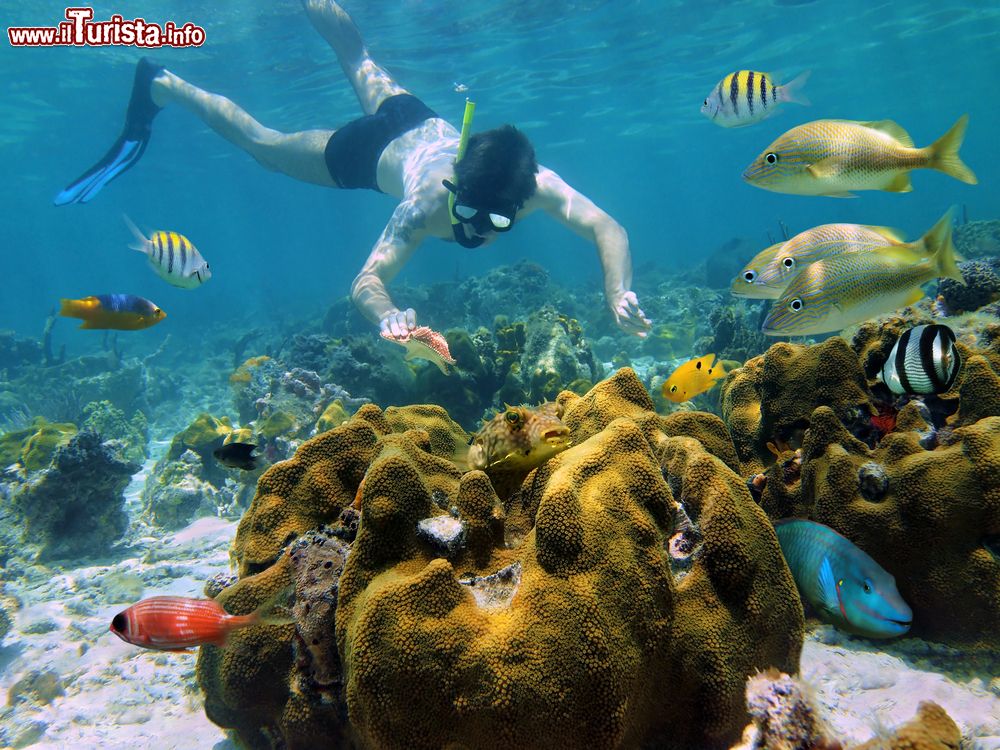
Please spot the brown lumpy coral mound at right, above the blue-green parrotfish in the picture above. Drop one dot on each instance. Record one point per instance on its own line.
(927, 481)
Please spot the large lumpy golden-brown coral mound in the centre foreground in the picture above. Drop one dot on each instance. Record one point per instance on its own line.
(588, 637)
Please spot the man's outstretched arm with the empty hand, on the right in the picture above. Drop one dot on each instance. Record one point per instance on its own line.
(581, 215)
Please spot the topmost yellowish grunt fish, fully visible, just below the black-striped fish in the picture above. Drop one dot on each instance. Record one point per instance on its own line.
(833, 157)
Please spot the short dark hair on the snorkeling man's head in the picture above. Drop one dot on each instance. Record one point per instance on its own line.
(498, 168)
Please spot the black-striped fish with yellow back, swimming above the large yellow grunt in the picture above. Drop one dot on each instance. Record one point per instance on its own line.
(748, 96)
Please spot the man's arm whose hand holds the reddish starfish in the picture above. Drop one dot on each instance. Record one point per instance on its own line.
(401, 236)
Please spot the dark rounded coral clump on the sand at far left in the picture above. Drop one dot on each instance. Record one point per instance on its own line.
(74, 508)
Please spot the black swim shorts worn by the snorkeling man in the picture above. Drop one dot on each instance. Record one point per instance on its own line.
(352, 153)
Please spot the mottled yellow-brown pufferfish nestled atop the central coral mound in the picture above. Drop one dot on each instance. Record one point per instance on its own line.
(520, 437)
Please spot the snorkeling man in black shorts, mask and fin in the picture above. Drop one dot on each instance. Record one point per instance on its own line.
(399, 147)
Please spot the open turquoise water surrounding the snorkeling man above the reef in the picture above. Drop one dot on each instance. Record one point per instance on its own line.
(608, 92)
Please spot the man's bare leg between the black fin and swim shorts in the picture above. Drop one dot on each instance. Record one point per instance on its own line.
(298, 155)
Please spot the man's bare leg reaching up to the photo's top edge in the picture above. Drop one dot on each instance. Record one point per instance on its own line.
(371, 83)
